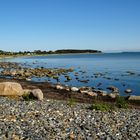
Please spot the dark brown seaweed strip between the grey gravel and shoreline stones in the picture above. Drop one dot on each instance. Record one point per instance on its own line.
(51, 92)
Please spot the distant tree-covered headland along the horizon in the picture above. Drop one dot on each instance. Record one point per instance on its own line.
(40, 52)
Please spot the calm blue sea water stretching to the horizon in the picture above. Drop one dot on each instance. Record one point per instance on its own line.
(113, 66)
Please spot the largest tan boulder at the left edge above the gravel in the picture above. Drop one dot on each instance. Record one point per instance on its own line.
(11, 88)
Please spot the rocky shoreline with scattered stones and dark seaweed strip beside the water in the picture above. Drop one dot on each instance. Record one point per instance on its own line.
(58, 91)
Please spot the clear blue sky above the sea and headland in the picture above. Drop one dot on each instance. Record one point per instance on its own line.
(106, 25)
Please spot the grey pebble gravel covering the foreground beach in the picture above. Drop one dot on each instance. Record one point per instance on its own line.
(54, 120)
